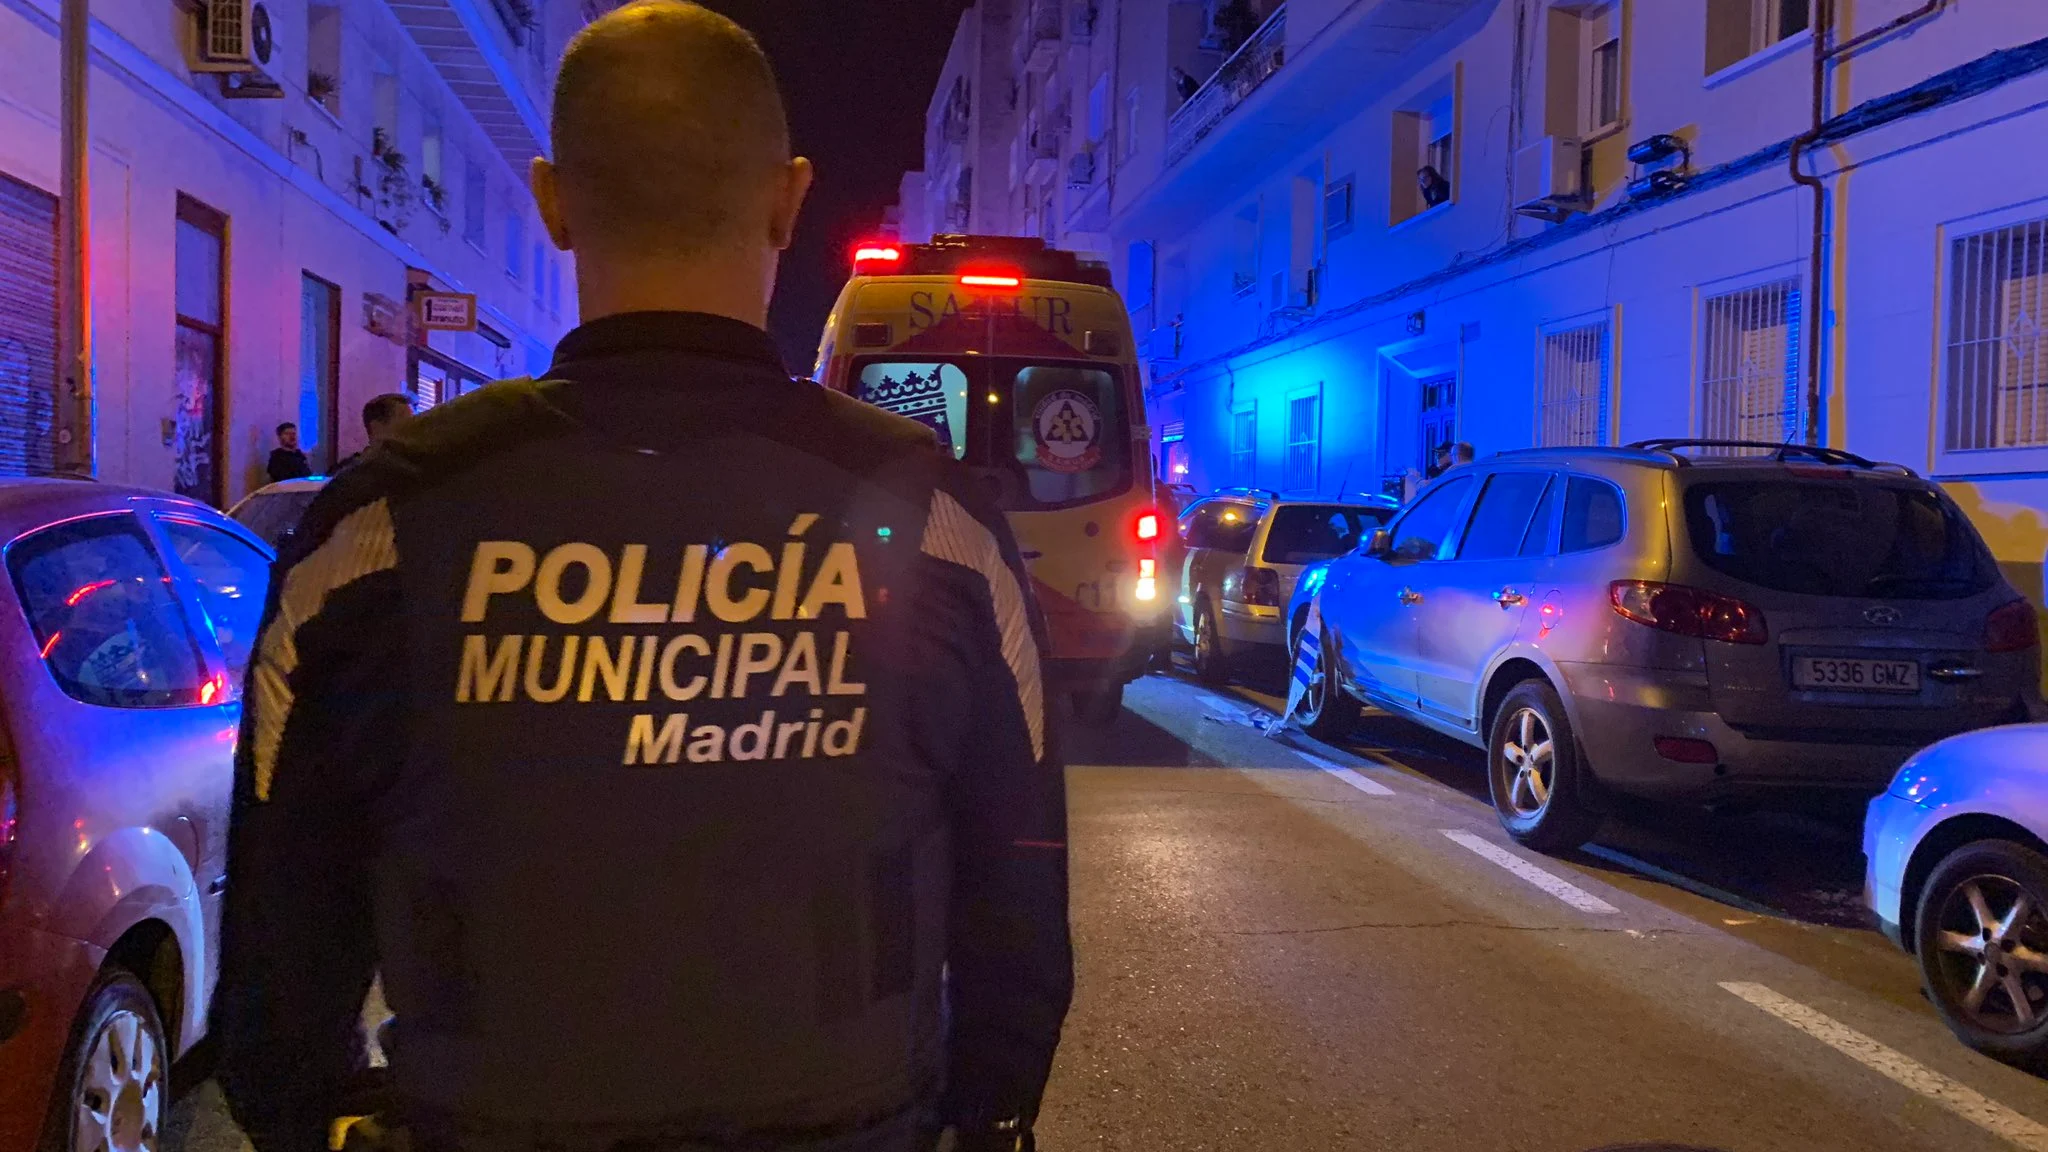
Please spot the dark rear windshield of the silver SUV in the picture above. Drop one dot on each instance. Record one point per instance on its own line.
(1838, 538)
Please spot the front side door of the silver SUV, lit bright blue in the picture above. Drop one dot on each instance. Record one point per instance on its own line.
(1371, 612)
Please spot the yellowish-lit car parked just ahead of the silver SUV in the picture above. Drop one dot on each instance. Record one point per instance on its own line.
(1242, 554)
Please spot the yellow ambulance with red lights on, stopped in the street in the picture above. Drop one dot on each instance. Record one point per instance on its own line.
(1019, 358)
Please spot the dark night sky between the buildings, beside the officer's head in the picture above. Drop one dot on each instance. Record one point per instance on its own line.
(857, 79)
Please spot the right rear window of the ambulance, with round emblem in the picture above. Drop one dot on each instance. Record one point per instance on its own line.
(1072, 434)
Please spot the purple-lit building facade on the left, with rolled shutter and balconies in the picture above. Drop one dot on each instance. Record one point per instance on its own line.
(273, 186)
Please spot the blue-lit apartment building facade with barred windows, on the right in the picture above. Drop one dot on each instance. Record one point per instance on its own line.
(1388, 224)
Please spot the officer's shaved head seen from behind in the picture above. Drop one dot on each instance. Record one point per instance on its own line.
(671, 149)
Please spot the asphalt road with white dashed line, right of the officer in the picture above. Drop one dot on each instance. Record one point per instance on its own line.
(1299, 946)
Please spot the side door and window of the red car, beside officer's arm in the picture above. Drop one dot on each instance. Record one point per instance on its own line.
(224, 579)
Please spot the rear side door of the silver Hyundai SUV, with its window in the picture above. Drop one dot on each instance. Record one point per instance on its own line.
(1476, 600)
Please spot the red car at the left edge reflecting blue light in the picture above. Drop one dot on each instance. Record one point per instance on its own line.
(126, 620)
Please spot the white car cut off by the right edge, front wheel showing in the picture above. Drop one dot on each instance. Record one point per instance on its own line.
(1957, 856)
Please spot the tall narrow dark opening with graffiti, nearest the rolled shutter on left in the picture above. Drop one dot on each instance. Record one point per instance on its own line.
(202, 331)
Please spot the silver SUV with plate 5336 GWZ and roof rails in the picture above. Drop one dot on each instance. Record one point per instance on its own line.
(1676, 626)
